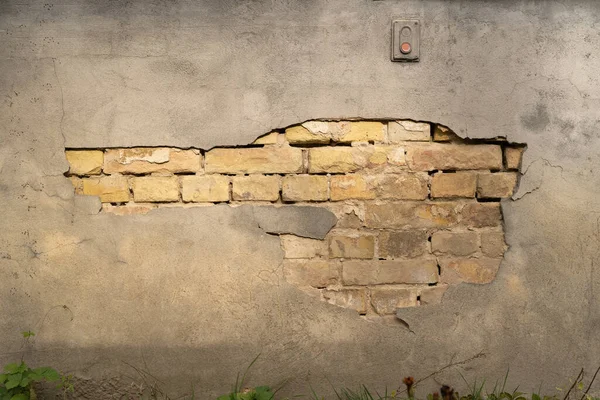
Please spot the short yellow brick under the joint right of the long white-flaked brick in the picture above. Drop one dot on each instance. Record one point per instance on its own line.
(205, 188)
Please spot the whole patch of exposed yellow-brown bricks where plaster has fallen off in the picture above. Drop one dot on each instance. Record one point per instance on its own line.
(418, 208)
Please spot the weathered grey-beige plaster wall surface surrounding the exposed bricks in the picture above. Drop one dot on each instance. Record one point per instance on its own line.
(193, 295)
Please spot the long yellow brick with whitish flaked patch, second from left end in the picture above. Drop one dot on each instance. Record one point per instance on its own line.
(146, 160)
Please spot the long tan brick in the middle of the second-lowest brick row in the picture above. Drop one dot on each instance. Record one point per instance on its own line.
(375, 272)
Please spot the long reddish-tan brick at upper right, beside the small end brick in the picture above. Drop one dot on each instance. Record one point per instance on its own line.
(445, 156)
